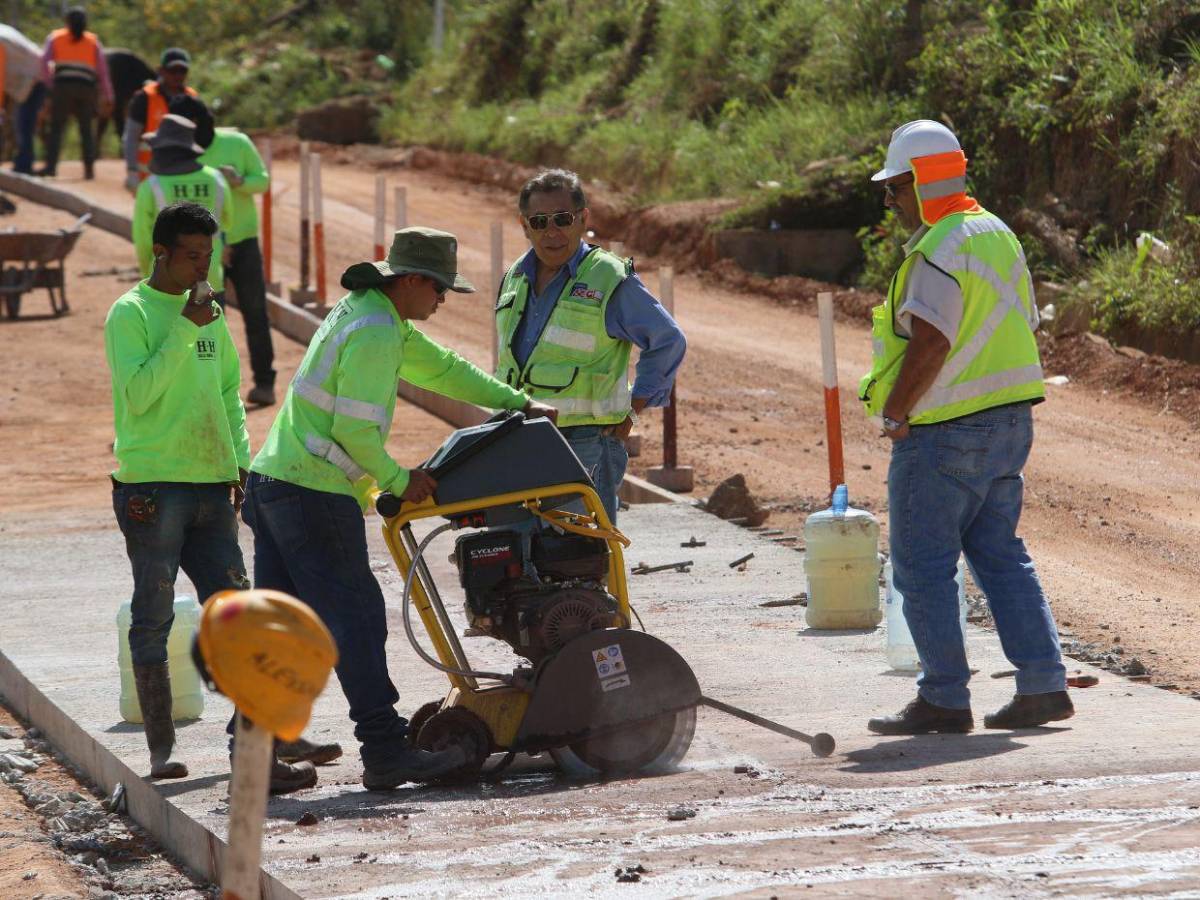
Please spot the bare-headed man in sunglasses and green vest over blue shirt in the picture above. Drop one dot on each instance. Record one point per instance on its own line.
(568, 316)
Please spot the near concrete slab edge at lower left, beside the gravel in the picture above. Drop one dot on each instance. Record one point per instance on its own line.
(185, 838)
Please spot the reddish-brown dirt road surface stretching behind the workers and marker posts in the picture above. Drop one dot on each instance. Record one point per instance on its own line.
(1113, 505)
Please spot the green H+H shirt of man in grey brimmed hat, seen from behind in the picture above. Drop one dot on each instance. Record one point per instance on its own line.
(206, 187)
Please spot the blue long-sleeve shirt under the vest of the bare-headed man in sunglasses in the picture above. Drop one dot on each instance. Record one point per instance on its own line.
(633, 315)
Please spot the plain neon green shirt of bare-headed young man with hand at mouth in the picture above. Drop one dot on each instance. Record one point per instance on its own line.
(176, 393)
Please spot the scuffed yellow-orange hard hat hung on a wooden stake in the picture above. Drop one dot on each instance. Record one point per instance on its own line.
(269, 653)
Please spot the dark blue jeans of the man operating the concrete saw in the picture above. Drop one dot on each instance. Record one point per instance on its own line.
(314, 547)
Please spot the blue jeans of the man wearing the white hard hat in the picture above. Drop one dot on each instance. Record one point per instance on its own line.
(956, 488)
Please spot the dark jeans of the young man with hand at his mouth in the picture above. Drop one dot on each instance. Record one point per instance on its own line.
(166, 526)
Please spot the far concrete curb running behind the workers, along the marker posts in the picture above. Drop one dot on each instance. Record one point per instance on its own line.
(301, 325)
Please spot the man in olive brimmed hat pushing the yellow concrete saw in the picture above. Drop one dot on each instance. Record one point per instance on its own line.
(309, 485)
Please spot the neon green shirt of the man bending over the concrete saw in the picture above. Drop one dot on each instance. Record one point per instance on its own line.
(332, 431)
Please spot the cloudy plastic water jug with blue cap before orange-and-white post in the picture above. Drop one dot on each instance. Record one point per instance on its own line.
(842, 561)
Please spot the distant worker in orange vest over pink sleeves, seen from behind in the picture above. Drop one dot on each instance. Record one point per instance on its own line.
(75, 70)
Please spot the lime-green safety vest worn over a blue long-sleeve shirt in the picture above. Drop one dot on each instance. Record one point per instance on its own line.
(575, 367)
